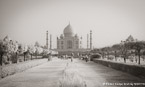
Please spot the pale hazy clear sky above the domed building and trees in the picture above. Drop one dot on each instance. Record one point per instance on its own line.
(111, 21)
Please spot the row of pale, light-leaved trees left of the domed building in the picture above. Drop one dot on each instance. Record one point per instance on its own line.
(10, 50)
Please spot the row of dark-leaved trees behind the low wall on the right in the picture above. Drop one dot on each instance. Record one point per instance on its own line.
(124, 50)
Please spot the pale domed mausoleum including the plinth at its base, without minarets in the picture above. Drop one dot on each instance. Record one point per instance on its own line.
(68, 42)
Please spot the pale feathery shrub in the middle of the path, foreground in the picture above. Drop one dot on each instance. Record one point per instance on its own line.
(72, 78)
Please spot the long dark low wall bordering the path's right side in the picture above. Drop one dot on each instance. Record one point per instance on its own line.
(135, 70)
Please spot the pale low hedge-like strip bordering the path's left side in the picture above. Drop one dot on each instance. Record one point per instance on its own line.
(19, 67)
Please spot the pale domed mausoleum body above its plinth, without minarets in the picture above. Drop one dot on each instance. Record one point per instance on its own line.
(67, 40)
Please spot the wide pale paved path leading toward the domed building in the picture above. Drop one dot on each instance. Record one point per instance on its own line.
(49, 75)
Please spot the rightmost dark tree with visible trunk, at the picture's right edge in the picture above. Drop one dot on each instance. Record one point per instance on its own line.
(138, 46)
